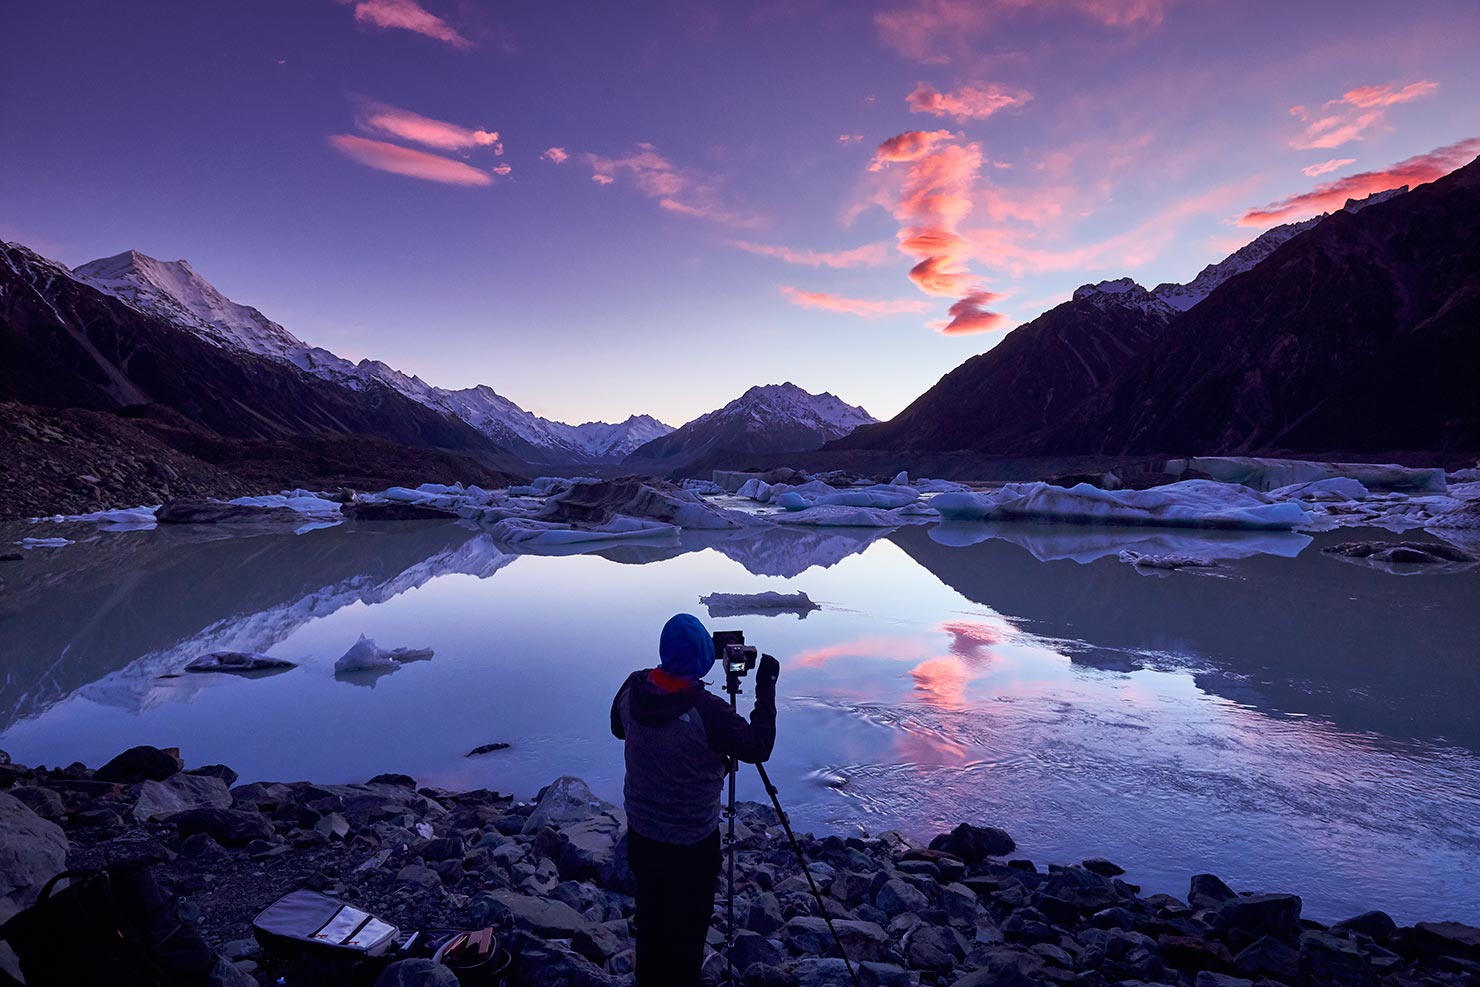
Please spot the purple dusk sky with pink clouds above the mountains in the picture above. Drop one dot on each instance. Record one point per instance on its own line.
(616, 208)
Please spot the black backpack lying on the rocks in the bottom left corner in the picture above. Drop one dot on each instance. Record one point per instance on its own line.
(113, 926)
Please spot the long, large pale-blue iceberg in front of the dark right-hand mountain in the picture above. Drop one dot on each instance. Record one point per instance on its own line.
(1201, 504)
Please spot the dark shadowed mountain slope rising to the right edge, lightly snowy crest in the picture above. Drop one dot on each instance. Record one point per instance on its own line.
(1356, 332)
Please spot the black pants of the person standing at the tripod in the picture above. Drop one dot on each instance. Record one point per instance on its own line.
(676, 899)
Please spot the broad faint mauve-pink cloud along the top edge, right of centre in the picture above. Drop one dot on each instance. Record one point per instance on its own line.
(935, 32)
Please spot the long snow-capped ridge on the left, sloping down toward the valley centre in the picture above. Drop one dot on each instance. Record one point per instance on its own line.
(174, 291)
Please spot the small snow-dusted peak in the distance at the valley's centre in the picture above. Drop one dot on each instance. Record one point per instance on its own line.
(778, 418)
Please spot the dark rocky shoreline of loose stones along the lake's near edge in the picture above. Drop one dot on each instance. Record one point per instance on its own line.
(551, 875)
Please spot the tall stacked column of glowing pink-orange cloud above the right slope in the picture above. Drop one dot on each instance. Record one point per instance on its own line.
(939, 175)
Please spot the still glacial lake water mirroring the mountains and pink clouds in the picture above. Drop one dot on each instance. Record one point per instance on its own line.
(1290, 721)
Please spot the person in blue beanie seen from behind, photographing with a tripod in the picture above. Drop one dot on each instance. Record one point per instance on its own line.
(679, 742)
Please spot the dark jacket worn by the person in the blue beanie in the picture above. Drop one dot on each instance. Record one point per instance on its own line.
(677, 749)
